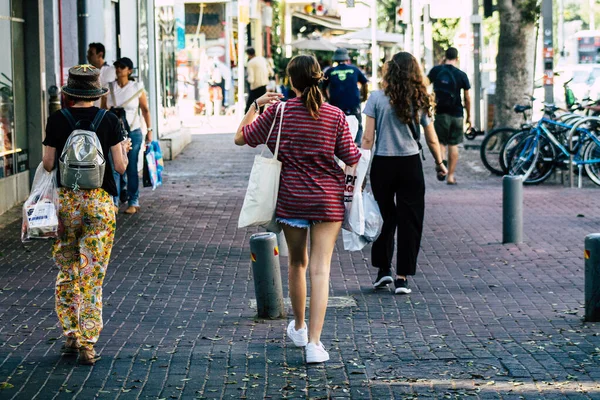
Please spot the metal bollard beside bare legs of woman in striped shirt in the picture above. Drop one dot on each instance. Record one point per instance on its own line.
(267, 275)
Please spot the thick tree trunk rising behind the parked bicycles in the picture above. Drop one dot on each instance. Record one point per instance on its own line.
(514, 63)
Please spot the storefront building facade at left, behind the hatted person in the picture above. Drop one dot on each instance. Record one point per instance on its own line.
(51, 36)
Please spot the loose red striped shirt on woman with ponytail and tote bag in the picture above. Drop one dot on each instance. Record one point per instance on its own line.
(312, 184)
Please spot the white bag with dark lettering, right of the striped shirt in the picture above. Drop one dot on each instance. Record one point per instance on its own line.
(355, 176)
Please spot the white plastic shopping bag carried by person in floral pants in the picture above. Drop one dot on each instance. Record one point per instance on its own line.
(40, 210)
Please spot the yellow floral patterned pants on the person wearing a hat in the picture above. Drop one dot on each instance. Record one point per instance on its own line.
(82, 252)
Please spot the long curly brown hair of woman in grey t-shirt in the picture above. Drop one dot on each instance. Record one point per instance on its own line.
(405, 85)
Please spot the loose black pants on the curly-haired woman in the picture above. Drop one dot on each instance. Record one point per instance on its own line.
(399, 188)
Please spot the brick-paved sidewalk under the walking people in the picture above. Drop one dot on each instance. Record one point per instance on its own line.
(485, 320)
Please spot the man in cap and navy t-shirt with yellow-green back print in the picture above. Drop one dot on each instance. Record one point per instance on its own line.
(341, 87)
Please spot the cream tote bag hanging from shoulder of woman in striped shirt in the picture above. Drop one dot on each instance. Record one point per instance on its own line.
(263, 186)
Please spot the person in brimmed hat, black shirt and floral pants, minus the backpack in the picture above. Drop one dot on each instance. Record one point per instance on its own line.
(87, 216)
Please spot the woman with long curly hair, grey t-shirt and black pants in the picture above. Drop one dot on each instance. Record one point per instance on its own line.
(397, 173)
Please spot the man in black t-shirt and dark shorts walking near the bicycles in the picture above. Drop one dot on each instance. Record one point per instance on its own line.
(448, 81)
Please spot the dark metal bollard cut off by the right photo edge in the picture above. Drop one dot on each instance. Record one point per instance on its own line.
(592, 277)
